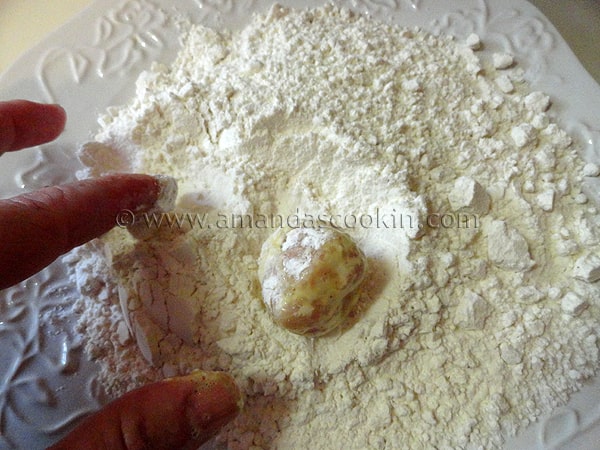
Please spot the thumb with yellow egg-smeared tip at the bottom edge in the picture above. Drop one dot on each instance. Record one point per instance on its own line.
(177, 413)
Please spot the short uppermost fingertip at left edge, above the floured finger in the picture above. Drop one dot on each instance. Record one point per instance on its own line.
(26, 124)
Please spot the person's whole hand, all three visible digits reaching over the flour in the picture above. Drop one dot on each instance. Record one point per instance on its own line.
(40, 226)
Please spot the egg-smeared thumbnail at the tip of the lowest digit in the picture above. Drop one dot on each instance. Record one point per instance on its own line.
(216, 401)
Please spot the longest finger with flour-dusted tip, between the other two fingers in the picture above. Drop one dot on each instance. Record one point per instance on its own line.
(38, 227)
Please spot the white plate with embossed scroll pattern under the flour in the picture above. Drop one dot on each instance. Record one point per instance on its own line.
(46, 383)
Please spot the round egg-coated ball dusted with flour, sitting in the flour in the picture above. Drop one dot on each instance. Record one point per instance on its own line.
(310, 278)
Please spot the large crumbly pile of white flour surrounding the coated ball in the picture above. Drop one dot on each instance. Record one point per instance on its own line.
(480, 310)
